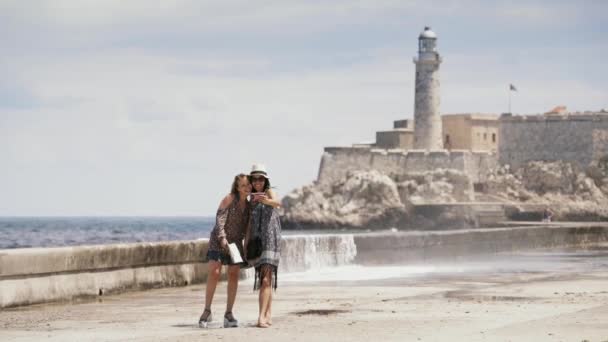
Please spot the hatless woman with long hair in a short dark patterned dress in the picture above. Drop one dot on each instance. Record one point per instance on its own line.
(231, 223)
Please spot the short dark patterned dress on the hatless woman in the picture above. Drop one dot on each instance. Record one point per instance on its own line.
(230, 223)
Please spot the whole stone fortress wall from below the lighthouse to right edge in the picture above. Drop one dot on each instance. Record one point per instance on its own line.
(578, 138)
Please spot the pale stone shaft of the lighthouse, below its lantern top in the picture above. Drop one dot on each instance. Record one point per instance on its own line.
(427, 120)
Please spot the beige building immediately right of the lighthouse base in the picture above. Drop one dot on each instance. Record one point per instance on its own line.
(476, 132)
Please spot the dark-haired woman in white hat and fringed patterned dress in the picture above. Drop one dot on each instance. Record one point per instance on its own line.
(263, 240)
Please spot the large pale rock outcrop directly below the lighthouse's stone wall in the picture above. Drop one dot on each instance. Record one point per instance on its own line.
(370, 199)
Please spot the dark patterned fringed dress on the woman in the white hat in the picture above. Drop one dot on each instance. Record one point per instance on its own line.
(265, 223)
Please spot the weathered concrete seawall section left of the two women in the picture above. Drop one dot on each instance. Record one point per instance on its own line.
(37, 275)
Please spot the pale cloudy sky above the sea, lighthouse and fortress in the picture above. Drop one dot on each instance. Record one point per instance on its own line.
(149, 108)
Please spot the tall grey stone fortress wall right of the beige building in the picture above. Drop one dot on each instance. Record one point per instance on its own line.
(578, 138)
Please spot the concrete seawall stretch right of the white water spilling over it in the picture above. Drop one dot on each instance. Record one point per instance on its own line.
(377, 248)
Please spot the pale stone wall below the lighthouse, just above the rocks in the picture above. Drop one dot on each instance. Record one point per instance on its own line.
(338, 161)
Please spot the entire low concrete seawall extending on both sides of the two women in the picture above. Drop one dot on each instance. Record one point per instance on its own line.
(38, 275)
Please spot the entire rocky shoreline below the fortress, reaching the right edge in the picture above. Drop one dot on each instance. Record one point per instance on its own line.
(374, 200)
